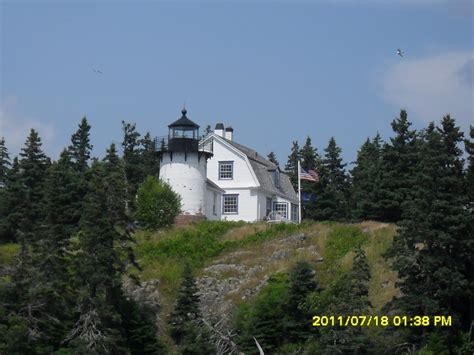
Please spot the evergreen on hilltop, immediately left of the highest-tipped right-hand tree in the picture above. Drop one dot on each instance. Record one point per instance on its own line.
(366, 180)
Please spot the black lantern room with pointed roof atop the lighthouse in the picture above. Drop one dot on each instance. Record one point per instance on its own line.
(183, 135)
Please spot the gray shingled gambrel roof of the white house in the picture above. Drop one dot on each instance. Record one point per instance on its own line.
(263, 169)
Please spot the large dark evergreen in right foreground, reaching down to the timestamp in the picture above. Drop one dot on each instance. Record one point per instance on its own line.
(432, 250)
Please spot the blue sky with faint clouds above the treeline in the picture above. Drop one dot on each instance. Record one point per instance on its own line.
(275, 71)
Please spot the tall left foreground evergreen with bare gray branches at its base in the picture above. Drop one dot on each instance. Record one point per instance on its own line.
(98, 268)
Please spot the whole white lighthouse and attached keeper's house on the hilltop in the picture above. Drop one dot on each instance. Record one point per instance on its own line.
(219, 179)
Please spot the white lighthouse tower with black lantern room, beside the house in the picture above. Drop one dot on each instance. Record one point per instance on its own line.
(184, 166)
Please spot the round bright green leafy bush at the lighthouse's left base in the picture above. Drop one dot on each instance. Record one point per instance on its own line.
(157, 205)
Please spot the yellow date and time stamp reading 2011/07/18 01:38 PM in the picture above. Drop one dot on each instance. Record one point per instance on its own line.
(382, 321)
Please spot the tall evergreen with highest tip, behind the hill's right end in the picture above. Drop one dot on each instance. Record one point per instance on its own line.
(399, 159)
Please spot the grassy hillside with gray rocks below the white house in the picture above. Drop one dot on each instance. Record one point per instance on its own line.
(241, 256)
